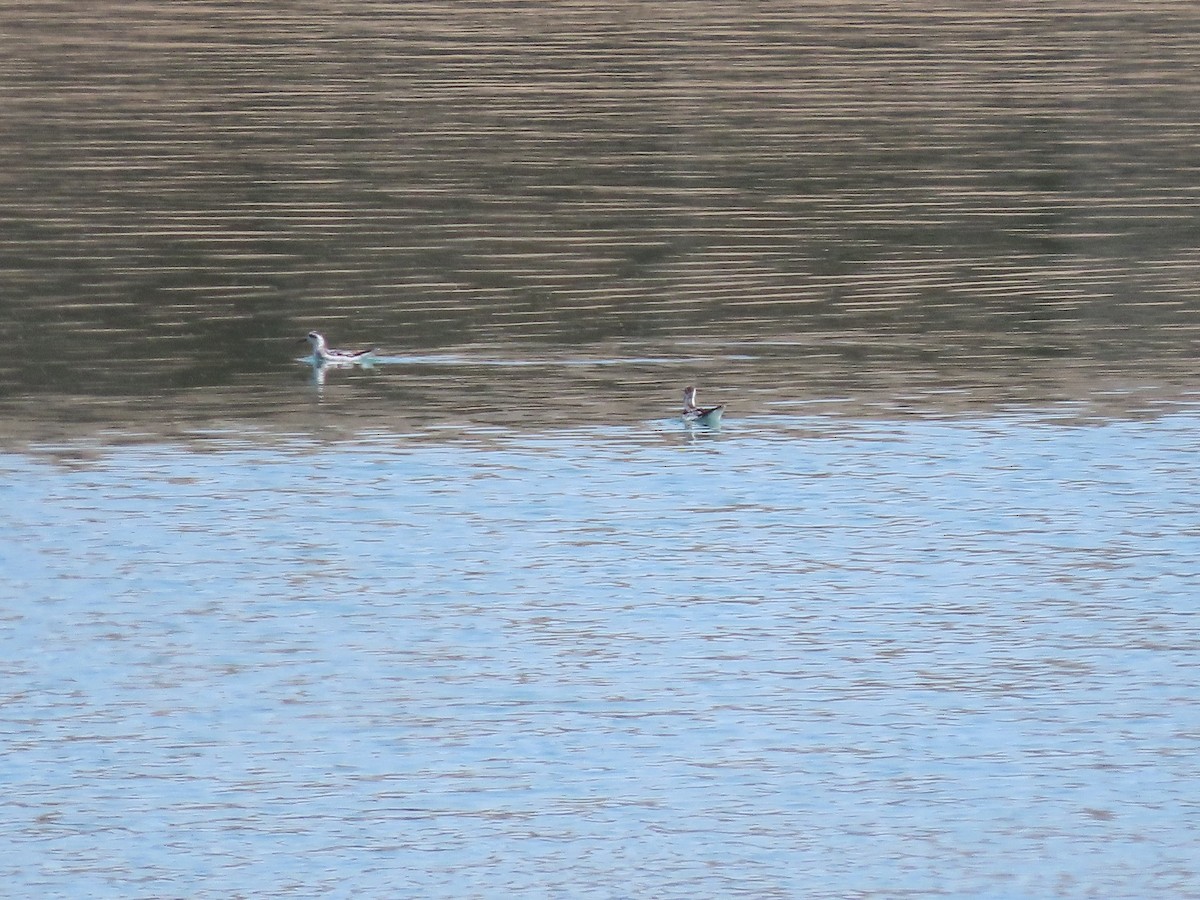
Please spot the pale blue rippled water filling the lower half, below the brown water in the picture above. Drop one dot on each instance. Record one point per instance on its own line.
(807, 656)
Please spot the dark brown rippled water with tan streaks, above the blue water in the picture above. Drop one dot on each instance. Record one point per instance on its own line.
(878, 201)
